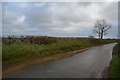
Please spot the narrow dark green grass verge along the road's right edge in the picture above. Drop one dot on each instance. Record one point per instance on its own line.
(115, 66)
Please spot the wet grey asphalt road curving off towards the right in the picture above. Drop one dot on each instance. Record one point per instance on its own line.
(87, 64)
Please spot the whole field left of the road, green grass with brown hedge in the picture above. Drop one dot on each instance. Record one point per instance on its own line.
(25, 48)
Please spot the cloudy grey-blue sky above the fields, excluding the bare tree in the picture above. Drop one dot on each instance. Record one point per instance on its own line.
(60, 19)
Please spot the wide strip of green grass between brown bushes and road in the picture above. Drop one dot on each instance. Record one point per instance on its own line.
(19, 52)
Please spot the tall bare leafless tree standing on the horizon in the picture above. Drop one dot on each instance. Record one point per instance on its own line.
(101, 27)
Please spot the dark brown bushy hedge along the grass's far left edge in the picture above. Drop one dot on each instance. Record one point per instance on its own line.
(41, 40)
